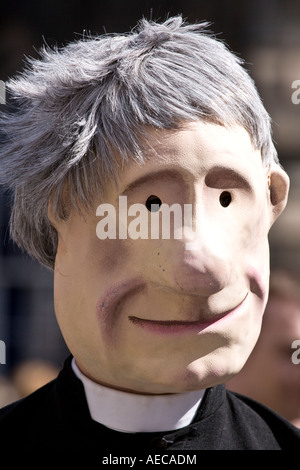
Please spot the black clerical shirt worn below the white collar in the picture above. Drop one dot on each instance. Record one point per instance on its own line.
(56, 417)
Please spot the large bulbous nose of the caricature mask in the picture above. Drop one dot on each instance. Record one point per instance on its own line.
(199, 262)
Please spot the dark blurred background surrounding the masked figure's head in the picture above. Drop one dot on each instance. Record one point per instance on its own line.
(266, 33)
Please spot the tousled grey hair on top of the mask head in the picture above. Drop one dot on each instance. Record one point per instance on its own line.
(82, 111)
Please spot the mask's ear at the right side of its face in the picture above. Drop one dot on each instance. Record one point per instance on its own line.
(279, 184)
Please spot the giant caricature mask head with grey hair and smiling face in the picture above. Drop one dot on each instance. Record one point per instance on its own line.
(183, 124)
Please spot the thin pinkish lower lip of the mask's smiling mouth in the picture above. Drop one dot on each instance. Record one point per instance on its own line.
(177, 326)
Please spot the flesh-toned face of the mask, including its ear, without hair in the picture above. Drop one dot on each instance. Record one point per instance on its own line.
(166, 314)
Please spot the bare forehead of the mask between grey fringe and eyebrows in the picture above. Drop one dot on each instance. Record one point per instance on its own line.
(185, 148)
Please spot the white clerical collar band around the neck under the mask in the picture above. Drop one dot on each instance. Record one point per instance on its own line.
(130, 412)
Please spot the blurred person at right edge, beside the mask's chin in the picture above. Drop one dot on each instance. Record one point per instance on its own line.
(270, 376)
